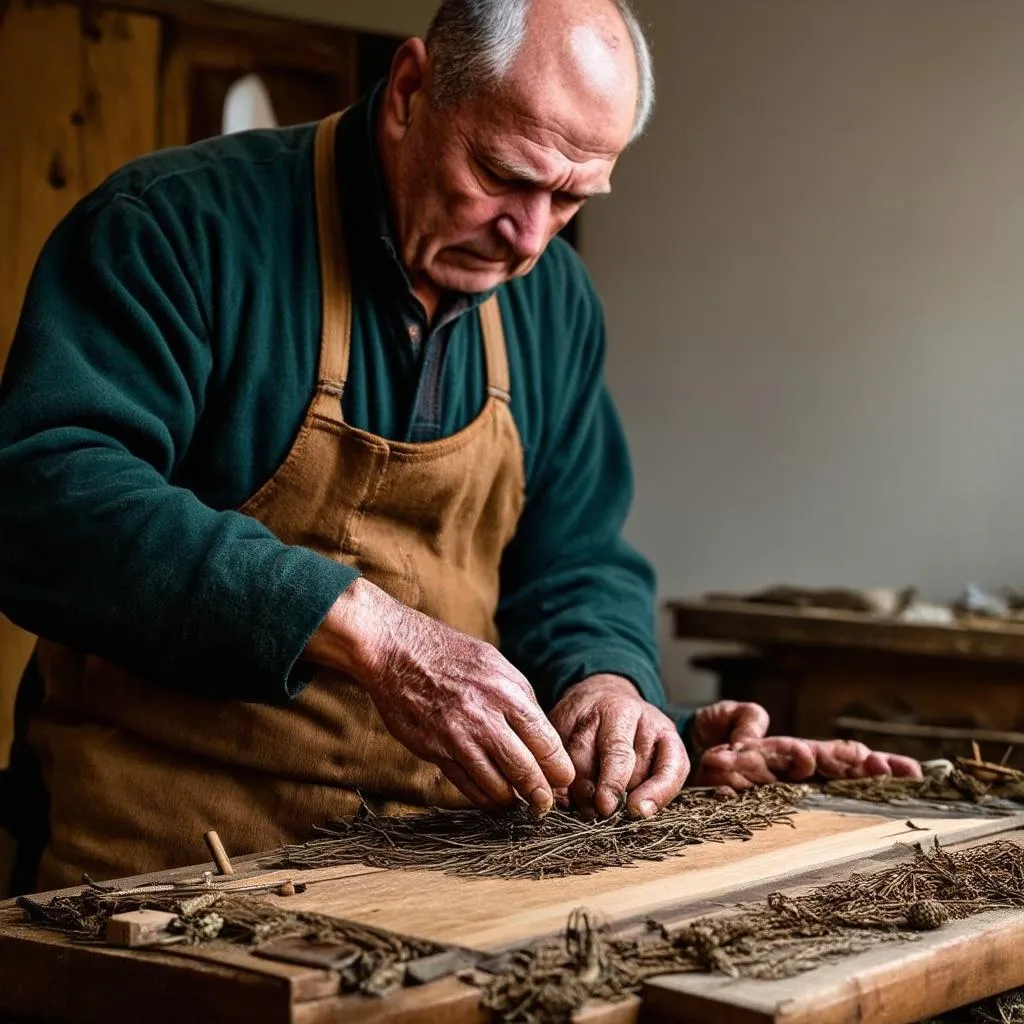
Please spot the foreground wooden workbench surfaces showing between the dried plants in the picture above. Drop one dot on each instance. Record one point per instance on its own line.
(46, 976)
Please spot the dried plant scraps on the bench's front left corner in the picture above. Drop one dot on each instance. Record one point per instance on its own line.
(378, 958)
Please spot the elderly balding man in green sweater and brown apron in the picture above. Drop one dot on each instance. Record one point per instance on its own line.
(298, 423)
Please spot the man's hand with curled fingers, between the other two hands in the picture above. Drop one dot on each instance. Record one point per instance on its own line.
(620, 745)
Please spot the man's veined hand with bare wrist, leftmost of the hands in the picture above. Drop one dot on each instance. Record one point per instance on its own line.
(452, 700)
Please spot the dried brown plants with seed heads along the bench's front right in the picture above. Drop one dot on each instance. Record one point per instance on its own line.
(780, 938)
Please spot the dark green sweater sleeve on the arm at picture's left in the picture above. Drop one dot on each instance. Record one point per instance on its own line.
(107, 380)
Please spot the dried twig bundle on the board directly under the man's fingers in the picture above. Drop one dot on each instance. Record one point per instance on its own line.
(517, 846)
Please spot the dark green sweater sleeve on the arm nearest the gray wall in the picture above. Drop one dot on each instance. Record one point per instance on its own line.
(577, 599)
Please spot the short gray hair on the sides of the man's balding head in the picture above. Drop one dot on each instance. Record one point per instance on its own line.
(474, 44)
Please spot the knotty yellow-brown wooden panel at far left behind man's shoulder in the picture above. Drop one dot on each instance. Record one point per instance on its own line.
(79, 96)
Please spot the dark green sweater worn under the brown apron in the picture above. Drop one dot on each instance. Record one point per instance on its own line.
(164, 361)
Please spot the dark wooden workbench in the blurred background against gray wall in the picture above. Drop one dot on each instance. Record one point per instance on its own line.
(919, 690)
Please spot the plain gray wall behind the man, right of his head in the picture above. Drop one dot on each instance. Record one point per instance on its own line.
(813, 274)
